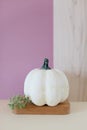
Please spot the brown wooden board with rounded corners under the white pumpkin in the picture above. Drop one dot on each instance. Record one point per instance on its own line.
(60, 109)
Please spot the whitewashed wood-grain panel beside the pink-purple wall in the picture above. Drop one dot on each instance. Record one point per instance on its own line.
(70, 44)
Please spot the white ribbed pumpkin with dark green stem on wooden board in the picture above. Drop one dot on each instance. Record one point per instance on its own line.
(46, 86)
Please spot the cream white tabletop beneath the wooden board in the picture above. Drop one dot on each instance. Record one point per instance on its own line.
(76, 120)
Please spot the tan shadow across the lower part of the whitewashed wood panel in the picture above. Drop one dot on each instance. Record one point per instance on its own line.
(78, 87)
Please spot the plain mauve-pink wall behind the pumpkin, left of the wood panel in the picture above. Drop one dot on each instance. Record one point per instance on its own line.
(25, 39)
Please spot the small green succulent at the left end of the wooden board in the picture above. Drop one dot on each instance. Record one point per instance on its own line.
(18, 101)
